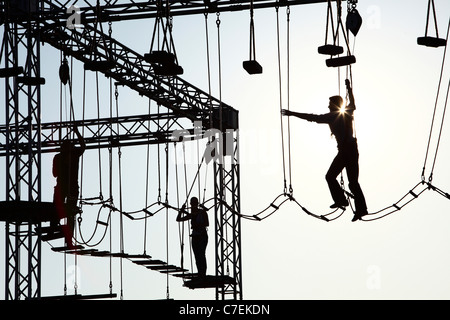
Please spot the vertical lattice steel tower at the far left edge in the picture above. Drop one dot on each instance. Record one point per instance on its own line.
(23, 158)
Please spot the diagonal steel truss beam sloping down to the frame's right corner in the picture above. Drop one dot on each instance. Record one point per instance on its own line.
(129, 68)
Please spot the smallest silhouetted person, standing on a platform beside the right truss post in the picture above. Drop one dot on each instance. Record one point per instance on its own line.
(199, 235)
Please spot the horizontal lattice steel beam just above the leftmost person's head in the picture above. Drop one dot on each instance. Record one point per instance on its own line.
(107, 132)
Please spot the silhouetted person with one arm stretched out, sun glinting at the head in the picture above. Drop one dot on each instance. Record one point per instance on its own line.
(340, 120)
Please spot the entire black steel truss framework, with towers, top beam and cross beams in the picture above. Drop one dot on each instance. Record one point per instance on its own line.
(26, 138)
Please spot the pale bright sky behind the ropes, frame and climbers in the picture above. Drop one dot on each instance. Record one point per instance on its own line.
(289, 255)
